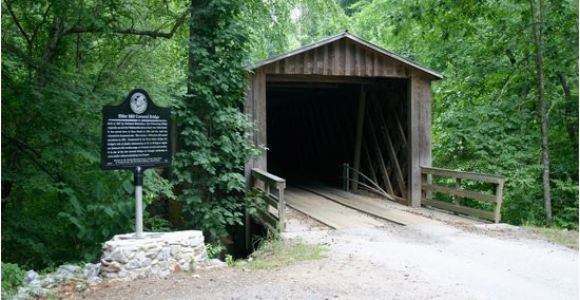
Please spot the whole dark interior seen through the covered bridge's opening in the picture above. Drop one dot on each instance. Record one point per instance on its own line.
(312, 128)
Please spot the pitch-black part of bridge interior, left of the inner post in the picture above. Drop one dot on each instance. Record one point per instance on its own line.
(311, 130)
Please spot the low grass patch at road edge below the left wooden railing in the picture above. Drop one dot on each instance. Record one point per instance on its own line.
(275, 254)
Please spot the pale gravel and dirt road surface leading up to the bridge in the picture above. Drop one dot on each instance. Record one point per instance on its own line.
(447, 260)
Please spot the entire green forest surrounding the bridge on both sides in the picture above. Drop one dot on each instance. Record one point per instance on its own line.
(63, 60)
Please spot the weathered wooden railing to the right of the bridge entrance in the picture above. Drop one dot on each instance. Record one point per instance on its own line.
(458, 193)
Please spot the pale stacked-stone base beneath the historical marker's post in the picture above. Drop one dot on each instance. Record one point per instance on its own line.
(156, 255)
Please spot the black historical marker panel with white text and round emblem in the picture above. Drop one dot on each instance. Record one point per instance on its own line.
(136, 133)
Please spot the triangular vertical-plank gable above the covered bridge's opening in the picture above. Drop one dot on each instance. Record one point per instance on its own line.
(340, 58)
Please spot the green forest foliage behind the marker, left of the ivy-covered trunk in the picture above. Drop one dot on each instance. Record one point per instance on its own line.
(57, 205)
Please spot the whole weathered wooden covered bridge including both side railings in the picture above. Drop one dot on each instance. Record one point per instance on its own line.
(345, 113)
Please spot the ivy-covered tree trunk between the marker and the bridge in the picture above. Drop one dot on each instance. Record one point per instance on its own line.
(214, 134)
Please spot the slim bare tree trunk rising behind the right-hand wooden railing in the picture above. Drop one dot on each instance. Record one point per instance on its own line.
(537, 29)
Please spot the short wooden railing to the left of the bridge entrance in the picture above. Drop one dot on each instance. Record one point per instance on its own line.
(270, 189)
